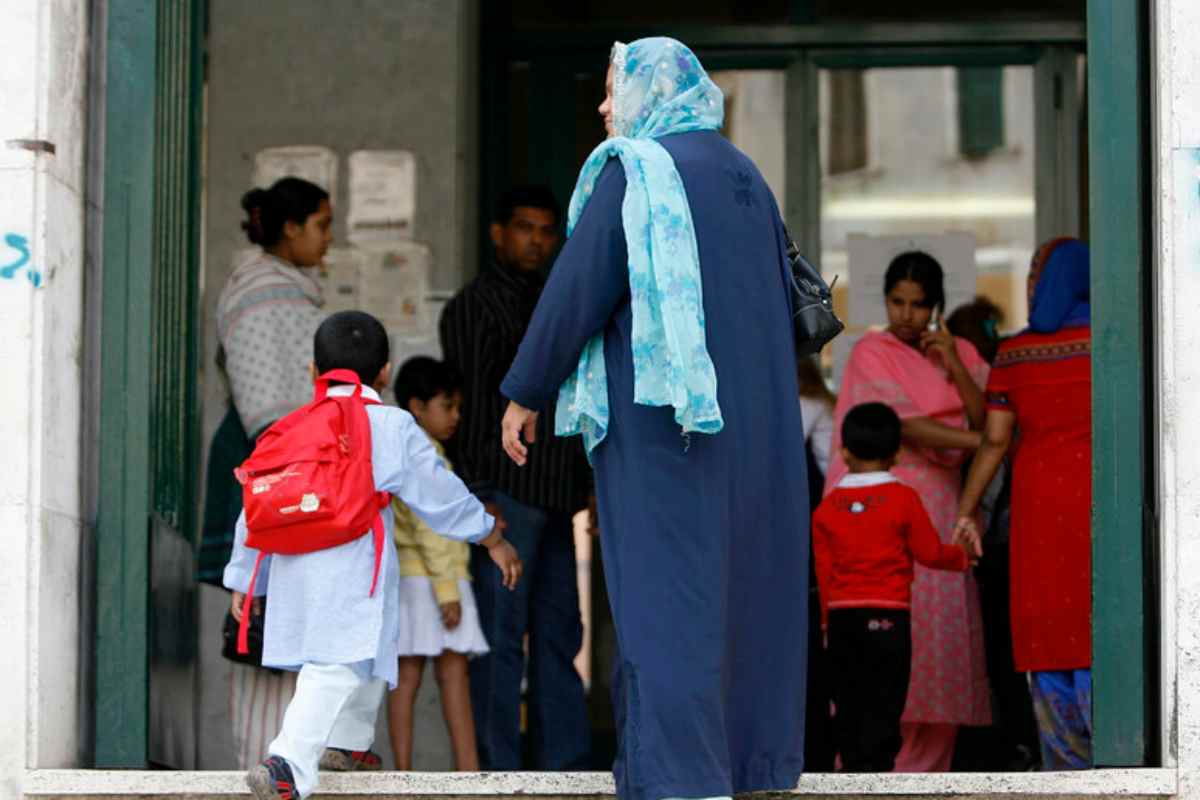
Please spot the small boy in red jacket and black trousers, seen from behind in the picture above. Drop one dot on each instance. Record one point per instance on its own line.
(866, 536)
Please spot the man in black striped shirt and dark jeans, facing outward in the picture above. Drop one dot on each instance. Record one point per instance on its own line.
(482, 330)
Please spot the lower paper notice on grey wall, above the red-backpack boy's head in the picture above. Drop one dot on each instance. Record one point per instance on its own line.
(393, 285)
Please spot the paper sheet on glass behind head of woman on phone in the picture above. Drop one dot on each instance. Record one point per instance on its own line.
(868, 263)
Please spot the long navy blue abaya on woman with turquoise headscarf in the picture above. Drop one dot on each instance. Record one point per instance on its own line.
(705, 538)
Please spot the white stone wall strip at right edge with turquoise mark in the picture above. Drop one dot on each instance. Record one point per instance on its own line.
(1177, 147)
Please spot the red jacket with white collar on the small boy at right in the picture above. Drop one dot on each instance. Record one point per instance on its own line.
(866, 536)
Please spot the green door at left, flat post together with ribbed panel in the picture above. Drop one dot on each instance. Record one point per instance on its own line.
(146, 628)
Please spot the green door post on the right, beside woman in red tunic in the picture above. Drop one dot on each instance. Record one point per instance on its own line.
(1125, 677)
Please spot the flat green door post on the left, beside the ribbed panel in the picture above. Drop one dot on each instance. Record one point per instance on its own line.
(123, 528)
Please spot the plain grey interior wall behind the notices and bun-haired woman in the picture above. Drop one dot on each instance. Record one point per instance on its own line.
(349, 76)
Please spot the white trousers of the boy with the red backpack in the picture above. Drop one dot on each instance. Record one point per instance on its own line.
(335, 706)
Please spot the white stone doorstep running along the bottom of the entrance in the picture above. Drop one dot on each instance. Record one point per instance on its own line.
(116, 784)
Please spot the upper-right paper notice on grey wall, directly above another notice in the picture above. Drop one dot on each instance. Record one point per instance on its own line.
(383, 195)
